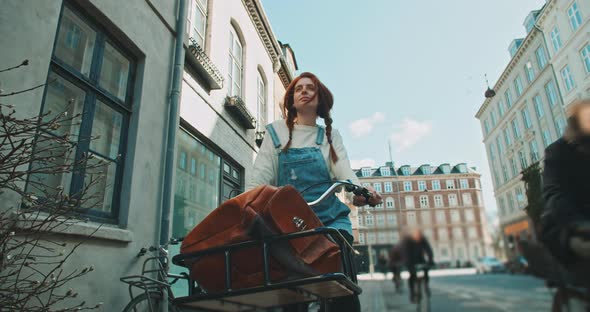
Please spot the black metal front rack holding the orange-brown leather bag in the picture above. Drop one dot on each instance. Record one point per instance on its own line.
(271, 294)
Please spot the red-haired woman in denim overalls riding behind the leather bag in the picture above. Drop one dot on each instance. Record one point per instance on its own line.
(299, 152)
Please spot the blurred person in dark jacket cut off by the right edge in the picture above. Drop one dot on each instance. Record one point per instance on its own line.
(565, 220)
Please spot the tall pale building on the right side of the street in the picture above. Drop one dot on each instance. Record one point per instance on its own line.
(526, 111)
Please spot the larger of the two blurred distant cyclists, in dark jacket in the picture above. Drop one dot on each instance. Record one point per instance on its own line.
(416, 247)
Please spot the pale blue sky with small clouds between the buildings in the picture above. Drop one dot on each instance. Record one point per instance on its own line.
(411, 72)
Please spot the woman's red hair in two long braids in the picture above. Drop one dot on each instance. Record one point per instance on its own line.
(325, 104)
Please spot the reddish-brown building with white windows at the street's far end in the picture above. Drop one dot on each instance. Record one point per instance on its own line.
(444, 201)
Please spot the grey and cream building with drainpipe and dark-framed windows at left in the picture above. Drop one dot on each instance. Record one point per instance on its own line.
(115, 59)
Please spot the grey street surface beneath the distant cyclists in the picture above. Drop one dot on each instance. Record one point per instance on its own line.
(460, 290)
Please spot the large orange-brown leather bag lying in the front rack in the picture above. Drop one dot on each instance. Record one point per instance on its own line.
(265, 210)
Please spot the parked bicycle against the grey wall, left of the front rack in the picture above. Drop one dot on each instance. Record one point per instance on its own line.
(154, 291)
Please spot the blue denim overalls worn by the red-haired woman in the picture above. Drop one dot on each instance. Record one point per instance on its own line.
(305, 166)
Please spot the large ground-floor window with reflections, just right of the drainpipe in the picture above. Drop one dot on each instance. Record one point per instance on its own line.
(199, 193)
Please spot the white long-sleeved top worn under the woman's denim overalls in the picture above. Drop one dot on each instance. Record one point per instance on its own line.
(267, 162)
